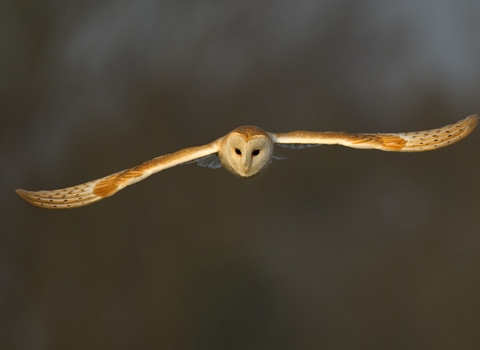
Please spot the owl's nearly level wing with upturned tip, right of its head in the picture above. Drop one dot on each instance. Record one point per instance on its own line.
(400, 142)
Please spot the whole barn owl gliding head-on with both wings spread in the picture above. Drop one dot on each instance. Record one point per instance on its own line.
(245, 152)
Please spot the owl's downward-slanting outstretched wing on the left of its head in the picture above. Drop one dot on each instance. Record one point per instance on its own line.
(93, 191)
